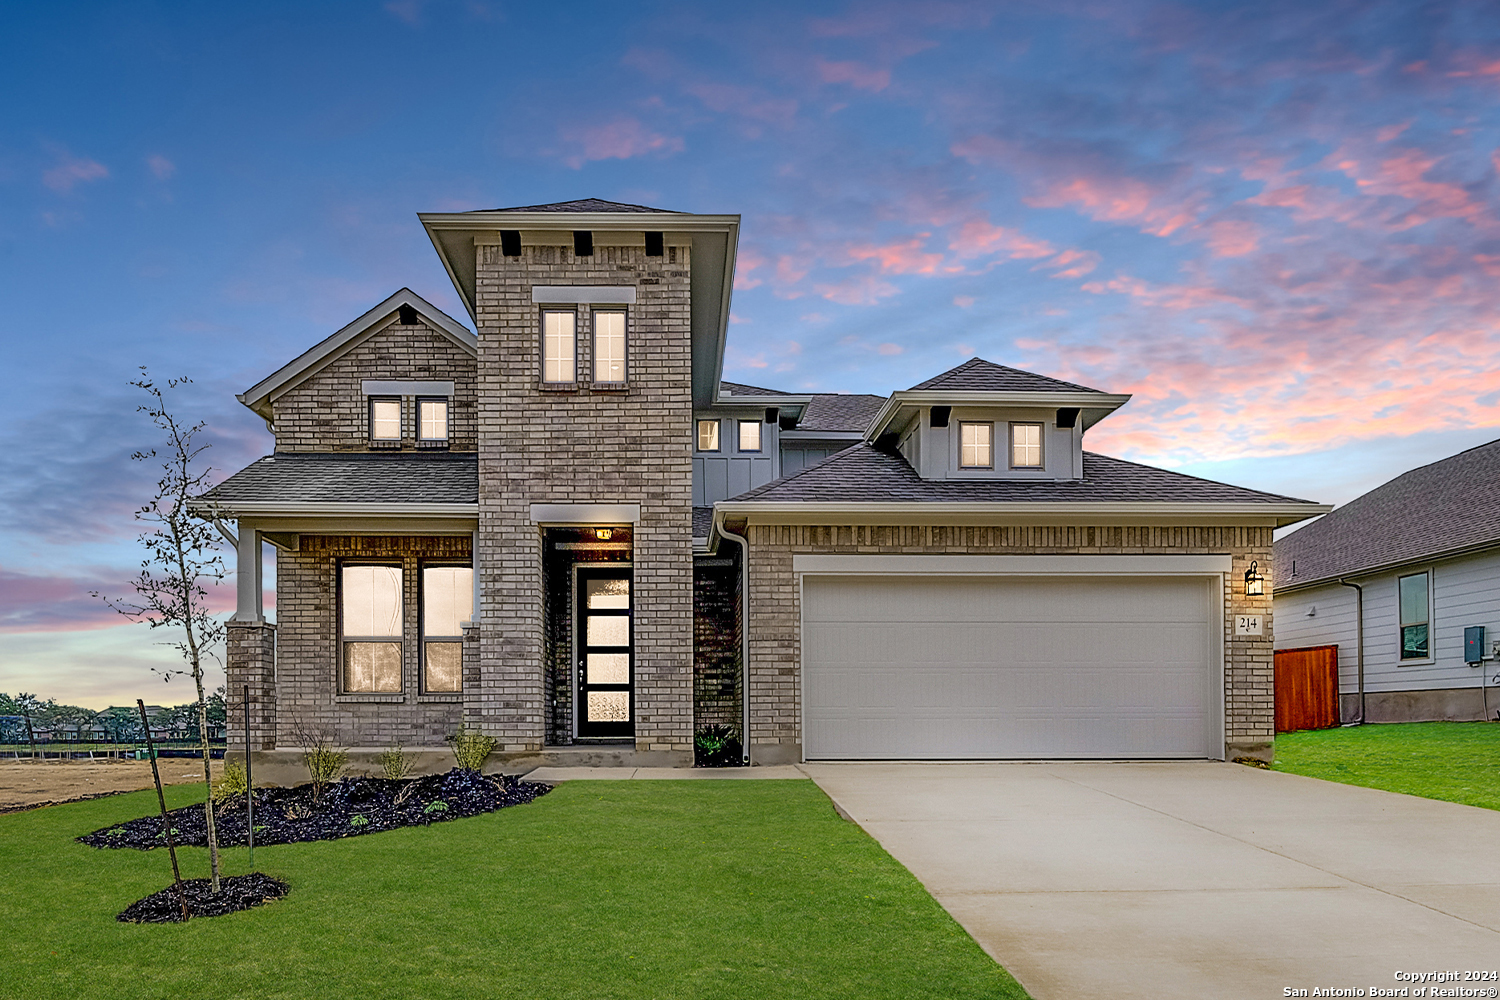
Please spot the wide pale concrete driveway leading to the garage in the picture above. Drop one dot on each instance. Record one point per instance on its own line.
(1189, 879)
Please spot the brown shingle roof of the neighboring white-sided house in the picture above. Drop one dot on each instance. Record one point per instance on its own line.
(1444, 507)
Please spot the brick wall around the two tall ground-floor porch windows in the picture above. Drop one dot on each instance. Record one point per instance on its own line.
(308, 645)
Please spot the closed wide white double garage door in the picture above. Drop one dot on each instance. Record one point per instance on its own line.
(1007, 668)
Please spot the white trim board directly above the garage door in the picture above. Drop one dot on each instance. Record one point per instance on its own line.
(878, 564)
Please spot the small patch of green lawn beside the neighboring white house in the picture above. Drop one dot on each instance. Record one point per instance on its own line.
(1457, 762)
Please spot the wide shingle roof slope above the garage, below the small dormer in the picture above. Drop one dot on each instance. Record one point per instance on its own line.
(865, 475)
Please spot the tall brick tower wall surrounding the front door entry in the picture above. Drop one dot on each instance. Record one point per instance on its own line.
(586, 446)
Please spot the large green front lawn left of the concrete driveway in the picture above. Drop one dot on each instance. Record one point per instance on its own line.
(599, 890)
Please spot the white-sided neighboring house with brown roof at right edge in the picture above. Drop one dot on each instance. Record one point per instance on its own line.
(1421, 557)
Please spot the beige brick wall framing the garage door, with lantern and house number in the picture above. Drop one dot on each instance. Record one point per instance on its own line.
(776, 606)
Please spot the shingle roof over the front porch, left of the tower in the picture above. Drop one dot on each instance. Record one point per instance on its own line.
(353, 479)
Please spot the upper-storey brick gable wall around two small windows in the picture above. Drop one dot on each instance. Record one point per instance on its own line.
(329, 413)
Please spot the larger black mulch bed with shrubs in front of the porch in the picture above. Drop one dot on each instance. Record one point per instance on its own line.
(346, 809)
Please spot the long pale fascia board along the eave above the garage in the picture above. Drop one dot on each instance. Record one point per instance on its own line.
(1013, 513)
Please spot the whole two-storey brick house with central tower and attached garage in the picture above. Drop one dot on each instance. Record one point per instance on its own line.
(568, 533)
